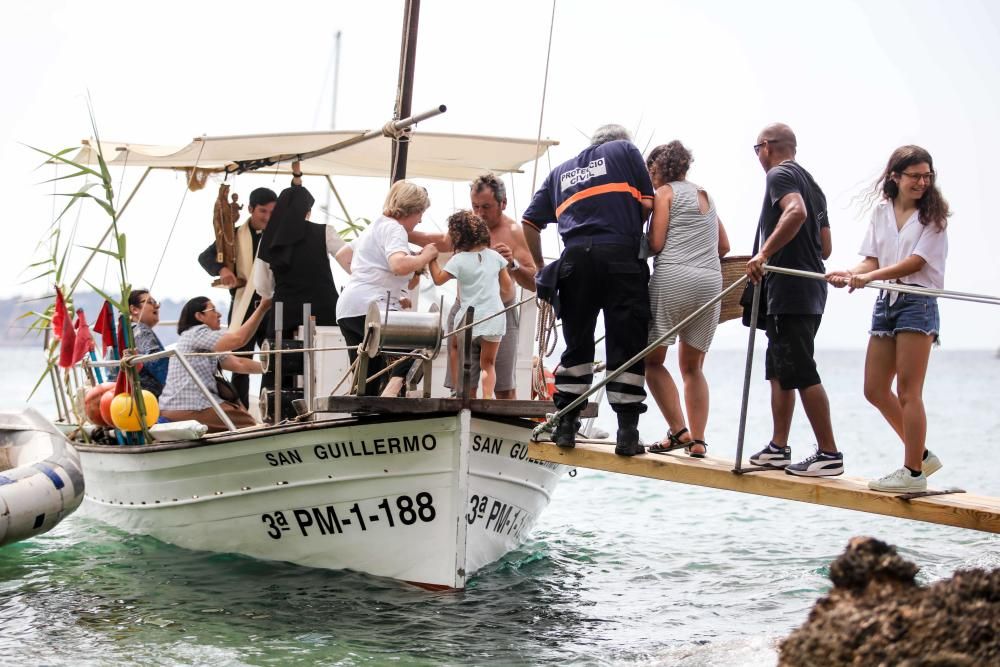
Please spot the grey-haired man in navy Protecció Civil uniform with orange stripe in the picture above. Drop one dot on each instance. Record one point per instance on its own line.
(600, 200)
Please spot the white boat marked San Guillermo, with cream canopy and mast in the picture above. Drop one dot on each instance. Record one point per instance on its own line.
(425, 490)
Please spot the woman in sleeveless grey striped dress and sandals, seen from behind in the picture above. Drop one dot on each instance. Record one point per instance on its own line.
(689, 239)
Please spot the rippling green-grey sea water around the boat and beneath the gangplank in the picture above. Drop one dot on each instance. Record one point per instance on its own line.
(619, 570)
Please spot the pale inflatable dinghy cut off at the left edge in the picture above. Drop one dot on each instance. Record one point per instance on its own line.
(40, 478)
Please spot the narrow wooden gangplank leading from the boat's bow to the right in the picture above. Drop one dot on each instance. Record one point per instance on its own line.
(964, 510)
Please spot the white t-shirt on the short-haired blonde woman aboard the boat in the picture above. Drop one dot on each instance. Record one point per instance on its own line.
(371, 278)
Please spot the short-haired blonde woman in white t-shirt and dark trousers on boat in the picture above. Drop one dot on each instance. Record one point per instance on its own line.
(381, 267)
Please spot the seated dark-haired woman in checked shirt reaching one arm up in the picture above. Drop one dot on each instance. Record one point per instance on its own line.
(200, 328)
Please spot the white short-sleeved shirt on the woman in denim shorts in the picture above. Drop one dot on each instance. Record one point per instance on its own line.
(891, 246)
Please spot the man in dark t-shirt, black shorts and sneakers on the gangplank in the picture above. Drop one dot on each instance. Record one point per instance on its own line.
(793, 233)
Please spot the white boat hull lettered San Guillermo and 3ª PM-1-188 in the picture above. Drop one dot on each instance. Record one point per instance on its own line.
(428, 499)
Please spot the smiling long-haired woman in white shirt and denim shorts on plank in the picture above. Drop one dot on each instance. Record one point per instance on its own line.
(906, 243)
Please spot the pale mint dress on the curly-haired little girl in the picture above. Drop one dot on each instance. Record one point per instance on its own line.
(479, 288)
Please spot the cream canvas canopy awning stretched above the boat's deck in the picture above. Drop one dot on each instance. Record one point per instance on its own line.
(431, 155)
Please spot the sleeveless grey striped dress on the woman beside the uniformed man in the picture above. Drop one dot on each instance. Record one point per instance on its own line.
(687, 273)
